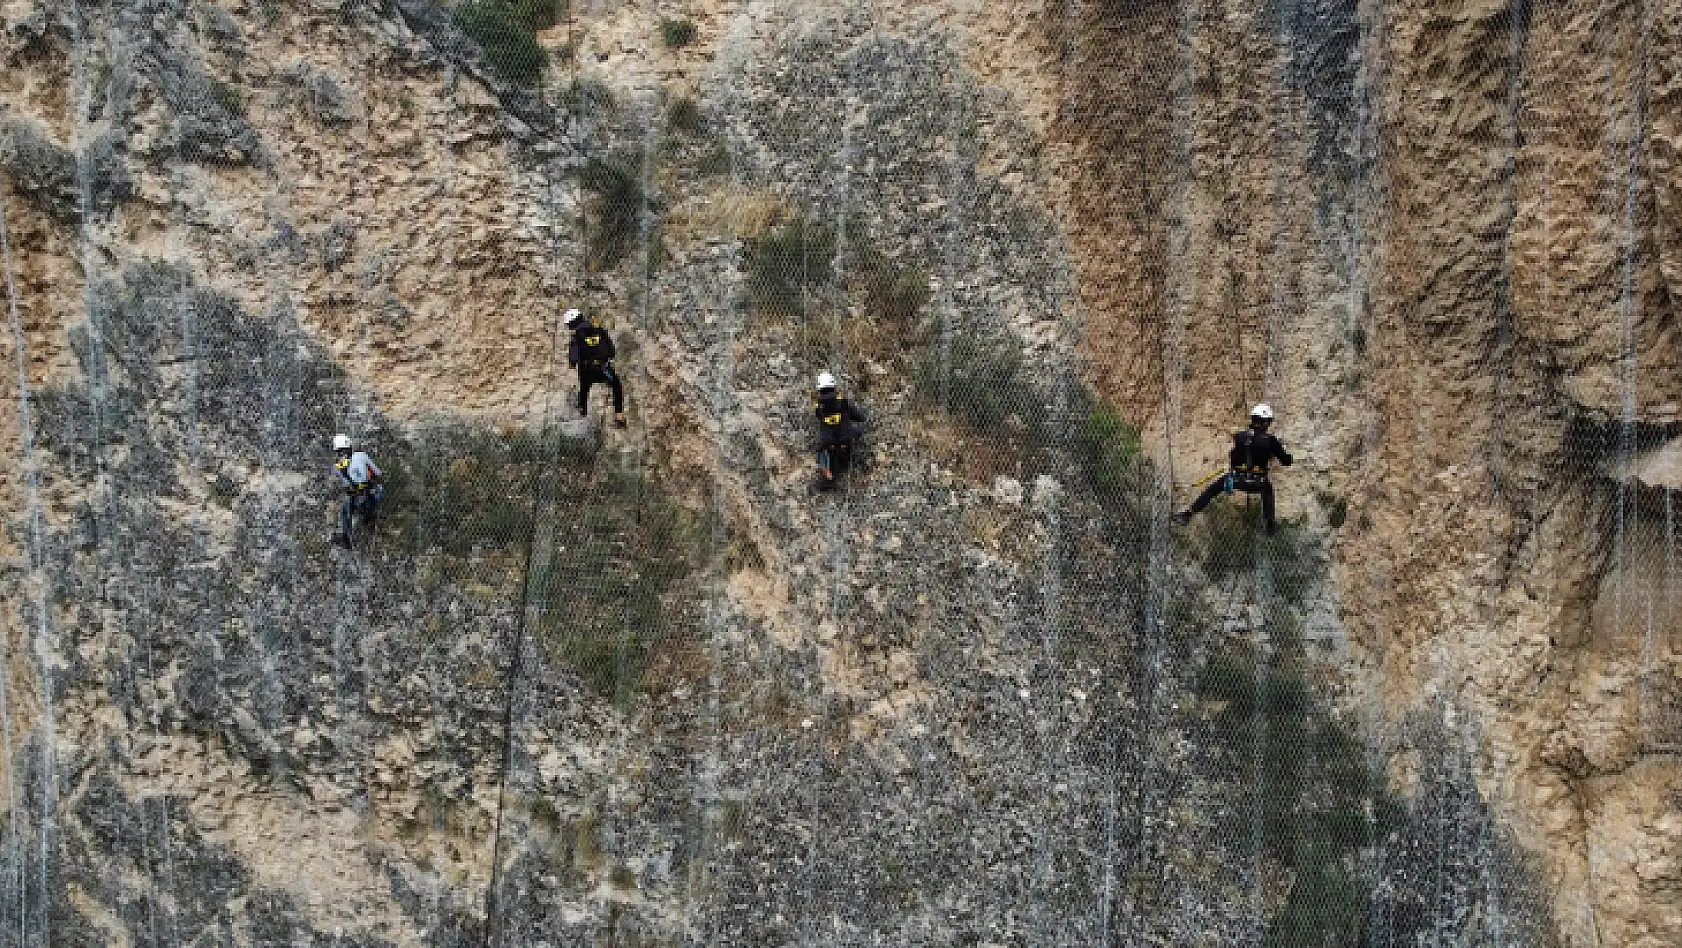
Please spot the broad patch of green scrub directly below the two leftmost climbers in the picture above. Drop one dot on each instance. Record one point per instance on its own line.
(610, 599)
